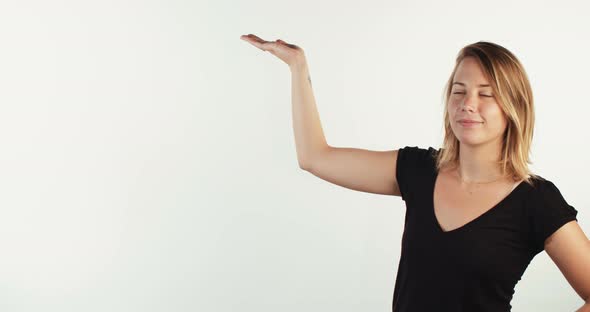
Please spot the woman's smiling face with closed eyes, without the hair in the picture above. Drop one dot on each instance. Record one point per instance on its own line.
(469, 100)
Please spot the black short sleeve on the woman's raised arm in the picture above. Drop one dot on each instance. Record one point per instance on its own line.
(412, 163)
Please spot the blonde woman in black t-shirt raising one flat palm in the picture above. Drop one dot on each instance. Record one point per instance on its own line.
(475, 215)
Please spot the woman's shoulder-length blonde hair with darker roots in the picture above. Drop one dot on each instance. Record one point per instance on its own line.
(512, 91)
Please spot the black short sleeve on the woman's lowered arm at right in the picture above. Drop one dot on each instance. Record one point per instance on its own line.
(549, 212)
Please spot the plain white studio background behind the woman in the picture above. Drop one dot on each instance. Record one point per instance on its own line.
(147, 157)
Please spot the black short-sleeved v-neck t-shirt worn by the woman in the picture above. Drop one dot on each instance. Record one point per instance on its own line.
(473, 268)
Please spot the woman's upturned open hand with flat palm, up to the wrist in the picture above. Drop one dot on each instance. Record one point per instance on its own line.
(291, 54)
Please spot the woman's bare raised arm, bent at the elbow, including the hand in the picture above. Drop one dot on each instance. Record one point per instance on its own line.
(353, 168)
